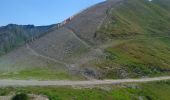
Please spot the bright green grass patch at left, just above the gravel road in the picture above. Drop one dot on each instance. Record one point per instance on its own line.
(40, 74)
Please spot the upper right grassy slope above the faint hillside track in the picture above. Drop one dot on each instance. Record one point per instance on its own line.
(146, 18)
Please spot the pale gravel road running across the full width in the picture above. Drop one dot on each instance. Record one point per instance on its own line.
(24, 83)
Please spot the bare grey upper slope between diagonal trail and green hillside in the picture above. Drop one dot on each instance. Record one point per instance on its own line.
(88, 21)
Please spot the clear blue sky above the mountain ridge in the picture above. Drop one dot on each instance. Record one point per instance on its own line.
(40, 12)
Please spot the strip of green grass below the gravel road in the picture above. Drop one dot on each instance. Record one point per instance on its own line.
(146, 91)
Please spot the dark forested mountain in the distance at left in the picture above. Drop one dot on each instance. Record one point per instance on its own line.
(14, 35)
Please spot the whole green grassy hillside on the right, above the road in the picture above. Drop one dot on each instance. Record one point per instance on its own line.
(145, 29)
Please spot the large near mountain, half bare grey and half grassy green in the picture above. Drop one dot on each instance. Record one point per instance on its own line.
(113, 39)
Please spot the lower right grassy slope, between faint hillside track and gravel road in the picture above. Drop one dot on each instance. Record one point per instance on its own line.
(137, 58)
